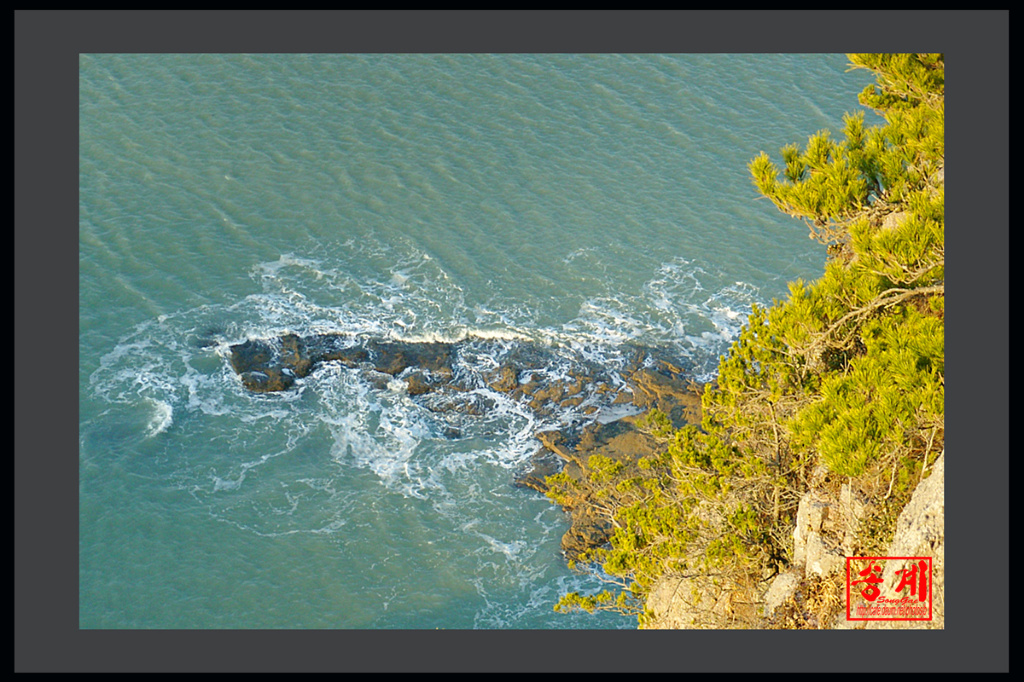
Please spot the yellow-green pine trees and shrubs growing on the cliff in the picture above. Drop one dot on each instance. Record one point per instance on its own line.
(841, 382)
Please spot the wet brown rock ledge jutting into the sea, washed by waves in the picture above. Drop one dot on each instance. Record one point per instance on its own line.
(602, 407)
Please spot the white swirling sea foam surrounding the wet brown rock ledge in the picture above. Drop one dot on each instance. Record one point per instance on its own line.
(390, 434)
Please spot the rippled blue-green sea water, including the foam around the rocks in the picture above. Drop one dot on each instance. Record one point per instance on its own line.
(580, 202)
